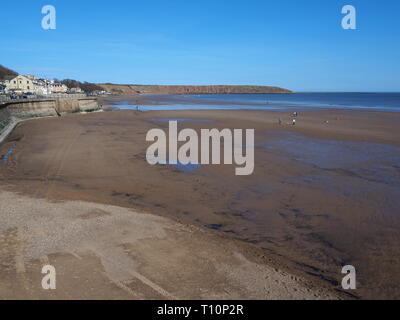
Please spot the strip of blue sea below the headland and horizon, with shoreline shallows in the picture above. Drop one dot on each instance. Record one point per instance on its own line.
(353, 101)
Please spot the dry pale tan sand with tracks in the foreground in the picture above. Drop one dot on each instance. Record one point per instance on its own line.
(107, 252)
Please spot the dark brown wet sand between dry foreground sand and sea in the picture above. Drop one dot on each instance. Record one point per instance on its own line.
(320, 196)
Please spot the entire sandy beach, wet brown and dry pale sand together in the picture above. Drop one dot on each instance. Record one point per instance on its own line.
(322, 196)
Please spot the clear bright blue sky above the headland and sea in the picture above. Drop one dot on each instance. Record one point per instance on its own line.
(294, 44)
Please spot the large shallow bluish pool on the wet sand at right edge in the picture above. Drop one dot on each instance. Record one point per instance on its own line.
(372, 161)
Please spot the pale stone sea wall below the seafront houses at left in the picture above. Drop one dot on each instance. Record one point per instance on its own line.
(14, 111)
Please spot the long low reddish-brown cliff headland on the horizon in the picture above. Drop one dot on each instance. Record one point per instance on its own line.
(125, 89)
